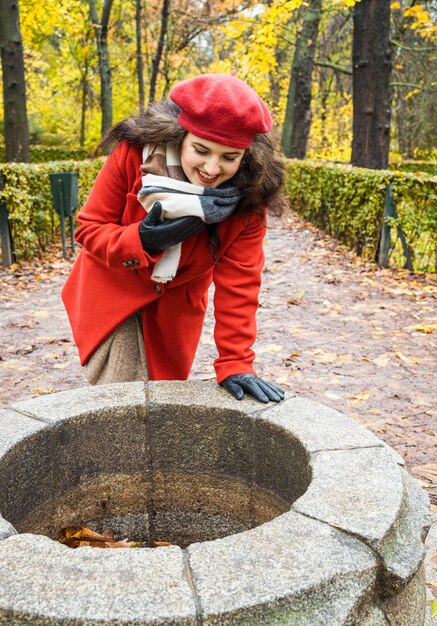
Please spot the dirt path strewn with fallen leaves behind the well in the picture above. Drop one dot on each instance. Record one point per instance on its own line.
(331, 327)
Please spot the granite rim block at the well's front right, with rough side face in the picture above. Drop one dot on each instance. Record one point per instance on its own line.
(292, 570)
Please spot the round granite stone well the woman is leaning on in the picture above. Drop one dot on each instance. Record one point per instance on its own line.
(280, 514)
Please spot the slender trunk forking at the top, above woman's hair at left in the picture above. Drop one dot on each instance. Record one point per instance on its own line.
(101, 30)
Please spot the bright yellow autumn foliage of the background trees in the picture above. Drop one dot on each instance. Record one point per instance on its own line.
(257, 43)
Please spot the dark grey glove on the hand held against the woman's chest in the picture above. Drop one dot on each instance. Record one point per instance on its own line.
(156, 235)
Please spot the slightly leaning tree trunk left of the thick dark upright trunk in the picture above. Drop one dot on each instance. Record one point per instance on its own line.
(297, 121)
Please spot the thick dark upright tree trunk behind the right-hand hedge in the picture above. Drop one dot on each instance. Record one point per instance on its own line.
(371, 61)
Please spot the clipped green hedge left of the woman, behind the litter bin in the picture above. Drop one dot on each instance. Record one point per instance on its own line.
(28, 199)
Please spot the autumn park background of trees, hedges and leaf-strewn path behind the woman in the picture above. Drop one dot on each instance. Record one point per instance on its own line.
(352, 88)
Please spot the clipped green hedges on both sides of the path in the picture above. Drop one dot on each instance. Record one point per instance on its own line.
(345, 201)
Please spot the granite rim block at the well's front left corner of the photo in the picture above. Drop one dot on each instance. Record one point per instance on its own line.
(42, 578)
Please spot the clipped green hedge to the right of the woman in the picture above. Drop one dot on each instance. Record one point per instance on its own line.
(348, 203)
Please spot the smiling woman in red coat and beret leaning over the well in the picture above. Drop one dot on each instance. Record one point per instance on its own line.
(203, 169)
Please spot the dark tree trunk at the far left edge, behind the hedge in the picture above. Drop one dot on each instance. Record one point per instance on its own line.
(14, 87)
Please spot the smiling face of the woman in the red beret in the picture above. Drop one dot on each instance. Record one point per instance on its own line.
(208, 163)
